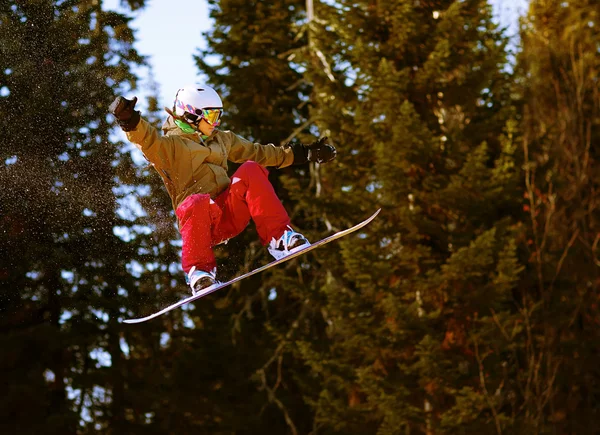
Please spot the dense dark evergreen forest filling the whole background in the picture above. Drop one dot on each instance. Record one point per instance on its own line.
(469, 306)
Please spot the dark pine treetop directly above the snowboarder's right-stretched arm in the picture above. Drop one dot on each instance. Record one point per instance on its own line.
(252, 41)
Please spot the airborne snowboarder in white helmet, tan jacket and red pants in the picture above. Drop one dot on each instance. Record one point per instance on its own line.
(191, 158)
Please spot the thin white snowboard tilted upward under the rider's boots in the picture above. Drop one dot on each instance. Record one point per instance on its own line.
(219, 286)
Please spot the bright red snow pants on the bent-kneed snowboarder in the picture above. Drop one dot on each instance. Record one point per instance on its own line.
(204, 222)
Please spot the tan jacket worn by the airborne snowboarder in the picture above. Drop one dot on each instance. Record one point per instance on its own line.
(189, 165)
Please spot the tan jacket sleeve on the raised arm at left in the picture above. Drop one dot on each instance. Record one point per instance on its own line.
(159, 150)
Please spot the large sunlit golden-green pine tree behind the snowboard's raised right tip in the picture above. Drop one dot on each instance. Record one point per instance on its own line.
(416, 101)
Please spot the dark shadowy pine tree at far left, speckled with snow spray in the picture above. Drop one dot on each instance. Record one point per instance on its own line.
(66, 273)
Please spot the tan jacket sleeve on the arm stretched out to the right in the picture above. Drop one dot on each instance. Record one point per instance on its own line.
(242, 150)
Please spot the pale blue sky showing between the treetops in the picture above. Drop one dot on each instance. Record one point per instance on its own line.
(169, 32)
